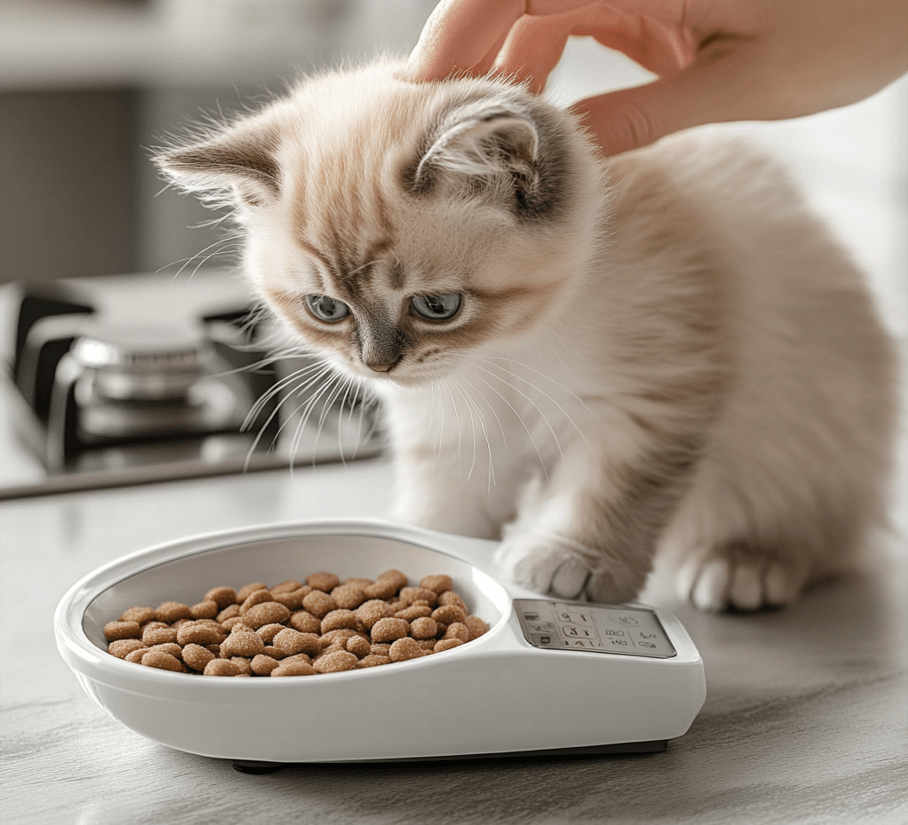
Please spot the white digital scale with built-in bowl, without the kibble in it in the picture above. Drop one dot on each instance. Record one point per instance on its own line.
(550, 678)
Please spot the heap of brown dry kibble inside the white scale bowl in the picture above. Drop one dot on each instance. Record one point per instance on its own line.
(324, 625)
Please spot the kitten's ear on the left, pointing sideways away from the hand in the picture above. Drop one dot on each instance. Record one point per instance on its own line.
(229, 161)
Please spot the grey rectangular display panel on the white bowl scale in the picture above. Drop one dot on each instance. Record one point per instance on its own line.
(618, 629)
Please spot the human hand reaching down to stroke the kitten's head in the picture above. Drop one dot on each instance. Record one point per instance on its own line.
(716, 61)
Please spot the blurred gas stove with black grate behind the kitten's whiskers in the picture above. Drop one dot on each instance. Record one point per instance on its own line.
(145, 377)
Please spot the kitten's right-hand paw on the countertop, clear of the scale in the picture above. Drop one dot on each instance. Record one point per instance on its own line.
(717, 583)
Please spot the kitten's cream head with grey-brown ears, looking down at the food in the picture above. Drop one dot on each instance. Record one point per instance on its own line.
(400, 226)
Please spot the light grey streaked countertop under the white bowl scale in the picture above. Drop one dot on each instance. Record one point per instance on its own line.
(805, 721)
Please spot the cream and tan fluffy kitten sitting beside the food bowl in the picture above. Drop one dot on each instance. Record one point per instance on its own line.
(593, 359)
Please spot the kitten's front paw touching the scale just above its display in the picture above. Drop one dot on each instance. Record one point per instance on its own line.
(548, 566)
